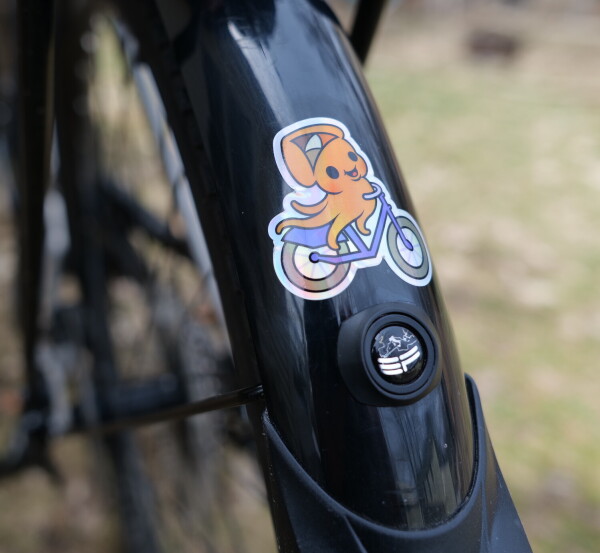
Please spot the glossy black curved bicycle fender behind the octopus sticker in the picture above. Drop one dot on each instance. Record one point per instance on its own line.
(250, 69)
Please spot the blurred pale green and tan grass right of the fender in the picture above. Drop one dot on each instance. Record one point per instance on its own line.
(503, 162)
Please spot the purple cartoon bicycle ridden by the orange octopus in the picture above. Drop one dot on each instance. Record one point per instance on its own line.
(309, 268)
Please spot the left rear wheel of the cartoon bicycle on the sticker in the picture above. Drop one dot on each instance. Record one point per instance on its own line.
(310, 276)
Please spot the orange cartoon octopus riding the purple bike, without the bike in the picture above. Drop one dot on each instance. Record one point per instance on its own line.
(319, 155)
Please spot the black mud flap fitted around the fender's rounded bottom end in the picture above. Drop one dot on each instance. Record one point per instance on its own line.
(487, 521)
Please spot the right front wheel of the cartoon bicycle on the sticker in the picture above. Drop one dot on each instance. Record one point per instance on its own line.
(414, 263)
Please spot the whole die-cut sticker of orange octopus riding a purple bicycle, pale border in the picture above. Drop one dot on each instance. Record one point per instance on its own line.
(339, 216)
